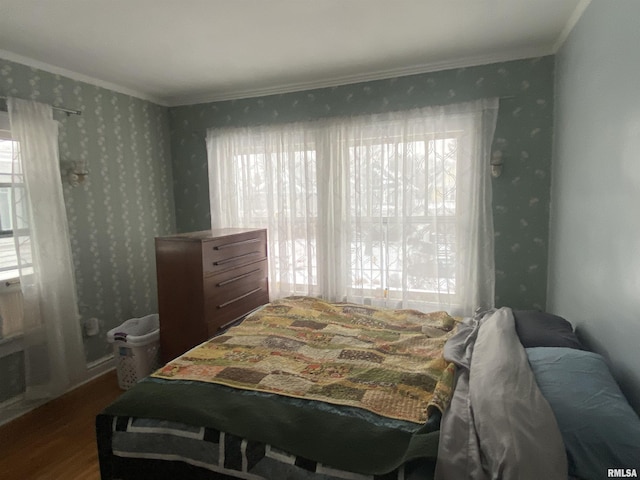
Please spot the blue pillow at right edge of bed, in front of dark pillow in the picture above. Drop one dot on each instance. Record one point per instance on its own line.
(599, 428)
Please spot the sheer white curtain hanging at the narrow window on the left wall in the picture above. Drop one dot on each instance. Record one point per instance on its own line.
(53, 348)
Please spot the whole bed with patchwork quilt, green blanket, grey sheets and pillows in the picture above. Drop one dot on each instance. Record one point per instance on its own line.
(304, 389)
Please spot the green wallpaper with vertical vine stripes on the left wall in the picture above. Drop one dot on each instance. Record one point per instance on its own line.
(125, 202)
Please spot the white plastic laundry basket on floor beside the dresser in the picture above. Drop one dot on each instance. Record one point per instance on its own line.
(136, 349)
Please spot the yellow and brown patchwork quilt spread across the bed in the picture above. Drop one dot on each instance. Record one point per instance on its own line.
(388, 362)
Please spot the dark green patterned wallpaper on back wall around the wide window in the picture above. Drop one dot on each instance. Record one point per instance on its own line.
(523, 133)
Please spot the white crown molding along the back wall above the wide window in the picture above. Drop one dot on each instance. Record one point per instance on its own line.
(186, 100)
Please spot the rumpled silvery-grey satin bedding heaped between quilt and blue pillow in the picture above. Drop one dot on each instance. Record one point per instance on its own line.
(499, 424)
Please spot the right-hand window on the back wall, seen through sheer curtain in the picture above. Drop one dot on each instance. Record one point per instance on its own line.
(403, 203)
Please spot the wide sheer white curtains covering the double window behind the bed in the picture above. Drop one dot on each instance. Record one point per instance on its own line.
(391, 209)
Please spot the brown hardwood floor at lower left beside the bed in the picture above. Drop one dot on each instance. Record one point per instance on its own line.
(57, 440)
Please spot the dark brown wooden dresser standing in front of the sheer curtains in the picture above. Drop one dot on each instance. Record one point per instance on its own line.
(207, 281)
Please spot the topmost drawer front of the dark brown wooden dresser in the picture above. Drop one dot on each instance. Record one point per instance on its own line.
(233, 251)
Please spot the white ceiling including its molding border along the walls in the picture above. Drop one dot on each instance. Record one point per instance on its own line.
(190, 51)
